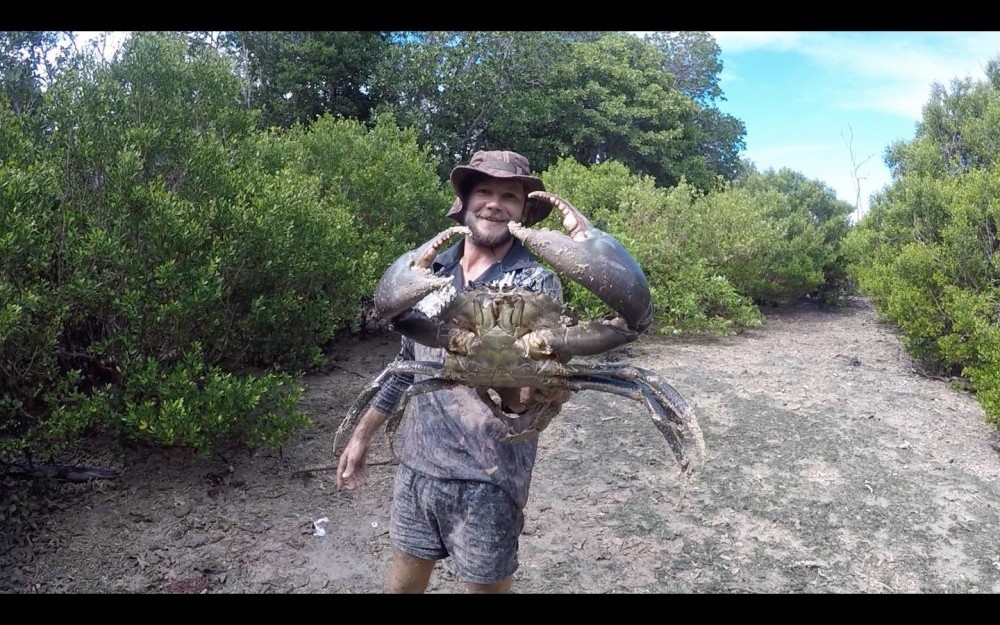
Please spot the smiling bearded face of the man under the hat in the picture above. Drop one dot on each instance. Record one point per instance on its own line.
(493, 202)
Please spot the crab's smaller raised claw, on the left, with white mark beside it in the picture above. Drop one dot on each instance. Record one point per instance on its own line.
(409, 279)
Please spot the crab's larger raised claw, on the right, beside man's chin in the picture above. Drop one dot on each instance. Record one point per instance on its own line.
(593, 258)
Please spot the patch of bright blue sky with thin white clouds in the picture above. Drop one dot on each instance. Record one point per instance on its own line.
(804, 96)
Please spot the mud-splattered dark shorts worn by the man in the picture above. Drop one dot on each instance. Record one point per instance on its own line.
(476, 524)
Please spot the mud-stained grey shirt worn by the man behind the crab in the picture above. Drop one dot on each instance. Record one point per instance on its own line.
(451, 433)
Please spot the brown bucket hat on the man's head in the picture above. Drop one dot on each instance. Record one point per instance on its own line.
(499, 164)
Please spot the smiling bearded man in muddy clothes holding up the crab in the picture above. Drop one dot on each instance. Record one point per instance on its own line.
(460, 490)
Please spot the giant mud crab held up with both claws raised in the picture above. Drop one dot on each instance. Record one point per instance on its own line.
(495, 337)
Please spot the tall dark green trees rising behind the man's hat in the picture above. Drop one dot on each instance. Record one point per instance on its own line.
(592, 96)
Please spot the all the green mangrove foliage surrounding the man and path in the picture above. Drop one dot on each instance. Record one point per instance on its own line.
(187, 227)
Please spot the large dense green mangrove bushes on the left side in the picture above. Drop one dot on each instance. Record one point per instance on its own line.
(167, 269)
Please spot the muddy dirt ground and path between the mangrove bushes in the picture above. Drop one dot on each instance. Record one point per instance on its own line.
(832, 467)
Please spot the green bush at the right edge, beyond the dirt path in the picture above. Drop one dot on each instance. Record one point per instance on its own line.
(926, 253)
